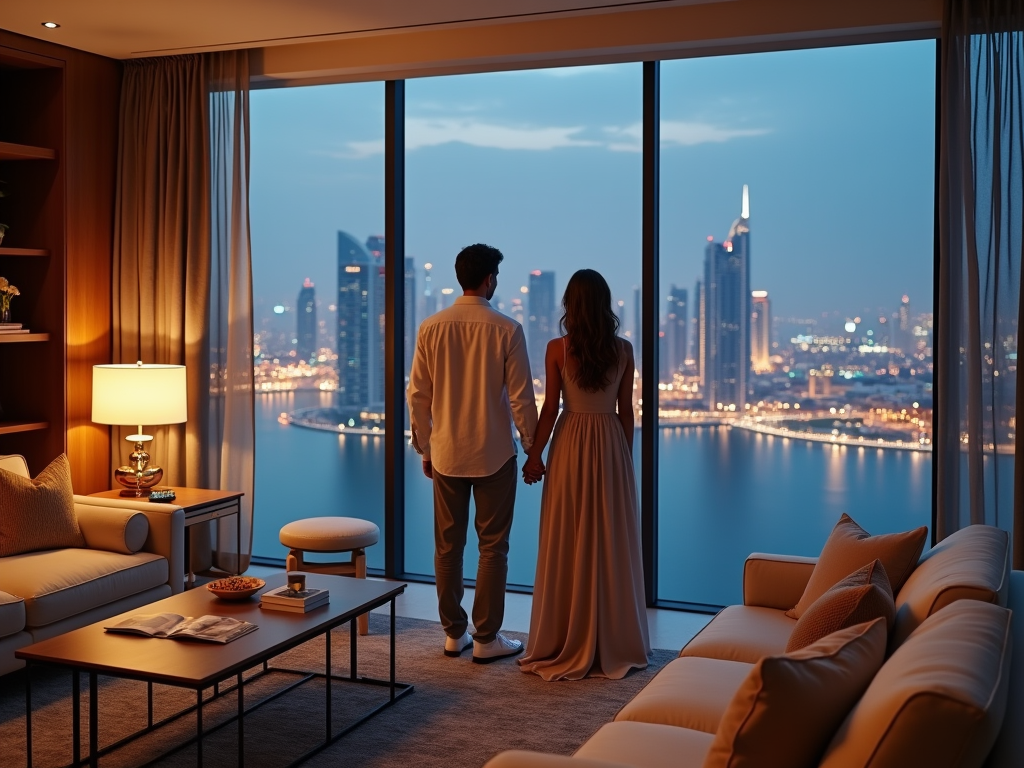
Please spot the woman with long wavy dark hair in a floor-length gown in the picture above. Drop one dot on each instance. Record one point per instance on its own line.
(589, 615)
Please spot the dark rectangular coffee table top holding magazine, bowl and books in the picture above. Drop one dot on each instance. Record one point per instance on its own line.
(196, 664)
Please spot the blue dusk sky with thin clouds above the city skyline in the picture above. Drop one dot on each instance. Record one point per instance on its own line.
(837, 146)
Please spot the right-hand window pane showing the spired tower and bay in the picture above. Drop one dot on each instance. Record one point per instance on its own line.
(796, 275)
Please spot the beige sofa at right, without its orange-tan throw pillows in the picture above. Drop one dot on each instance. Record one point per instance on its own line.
(951, 692)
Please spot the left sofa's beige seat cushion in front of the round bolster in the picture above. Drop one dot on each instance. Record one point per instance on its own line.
(64, 583)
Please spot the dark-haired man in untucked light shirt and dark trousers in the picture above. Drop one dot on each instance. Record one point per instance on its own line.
(471, 381)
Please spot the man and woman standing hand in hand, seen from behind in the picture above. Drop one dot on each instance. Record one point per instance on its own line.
(471, 378)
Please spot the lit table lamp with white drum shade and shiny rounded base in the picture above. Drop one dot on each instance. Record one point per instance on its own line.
(134, 396)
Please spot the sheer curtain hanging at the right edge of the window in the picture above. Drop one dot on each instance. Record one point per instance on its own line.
(982, 196)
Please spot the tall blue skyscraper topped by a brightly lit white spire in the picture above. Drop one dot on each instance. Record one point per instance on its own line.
(728, 316)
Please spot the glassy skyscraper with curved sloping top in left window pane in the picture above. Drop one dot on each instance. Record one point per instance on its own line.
(357, 338)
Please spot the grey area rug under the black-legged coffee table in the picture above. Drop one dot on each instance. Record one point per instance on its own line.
(461, 714)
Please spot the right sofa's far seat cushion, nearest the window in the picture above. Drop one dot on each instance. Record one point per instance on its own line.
(743, 633)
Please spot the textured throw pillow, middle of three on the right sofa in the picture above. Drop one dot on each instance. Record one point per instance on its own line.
(863, 596)
